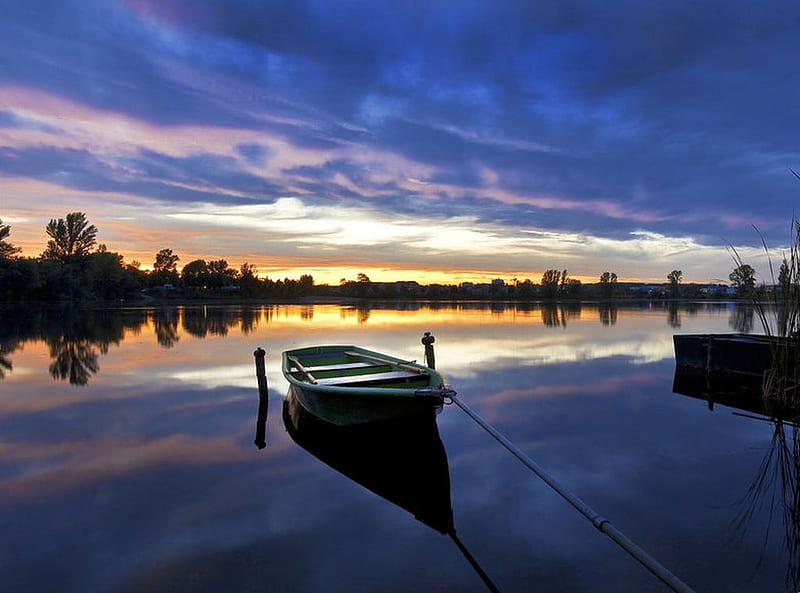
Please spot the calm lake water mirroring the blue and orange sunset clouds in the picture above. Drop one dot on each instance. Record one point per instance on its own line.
(127, 461)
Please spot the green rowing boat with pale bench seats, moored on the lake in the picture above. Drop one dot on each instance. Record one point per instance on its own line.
(347, 385)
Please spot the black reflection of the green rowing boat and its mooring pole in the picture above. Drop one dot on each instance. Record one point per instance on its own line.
(400, 459)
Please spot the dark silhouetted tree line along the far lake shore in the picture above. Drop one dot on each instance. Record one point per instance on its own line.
(73, 266)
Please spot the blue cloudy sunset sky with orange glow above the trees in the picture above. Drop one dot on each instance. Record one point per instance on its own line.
(438, 141)
